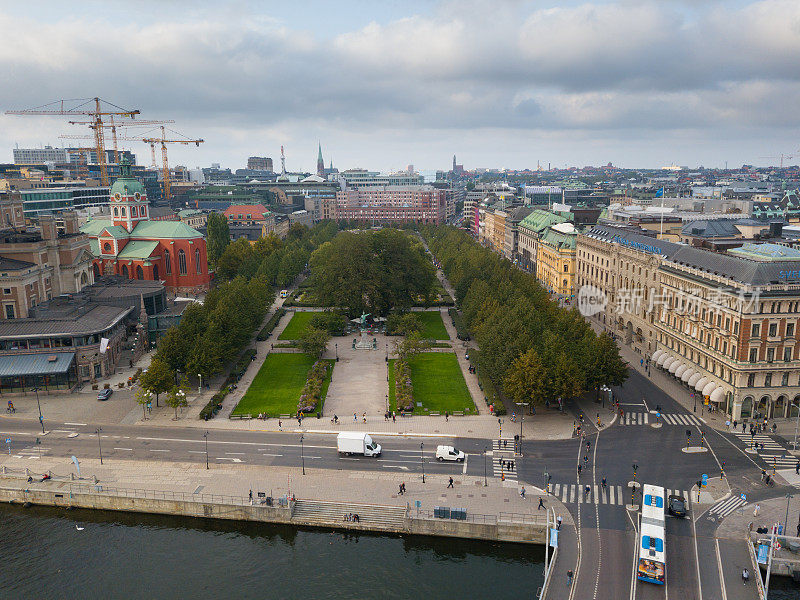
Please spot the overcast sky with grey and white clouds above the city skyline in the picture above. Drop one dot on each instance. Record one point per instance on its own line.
(386, 83)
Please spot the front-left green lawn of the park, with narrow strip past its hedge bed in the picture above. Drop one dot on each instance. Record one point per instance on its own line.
(278, 384)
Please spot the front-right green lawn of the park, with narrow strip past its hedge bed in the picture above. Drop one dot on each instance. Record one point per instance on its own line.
(438, 384)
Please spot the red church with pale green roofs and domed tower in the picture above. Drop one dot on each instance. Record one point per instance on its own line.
(132, 245)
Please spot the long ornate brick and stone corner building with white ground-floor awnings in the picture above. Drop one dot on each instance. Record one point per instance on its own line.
(725, 325)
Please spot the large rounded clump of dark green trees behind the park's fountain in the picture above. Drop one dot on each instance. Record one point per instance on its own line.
(372, 272)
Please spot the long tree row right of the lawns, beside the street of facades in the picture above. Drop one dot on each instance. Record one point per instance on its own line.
(529, 347)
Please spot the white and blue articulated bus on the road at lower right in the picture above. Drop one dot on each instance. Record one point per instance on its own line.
(652, 534)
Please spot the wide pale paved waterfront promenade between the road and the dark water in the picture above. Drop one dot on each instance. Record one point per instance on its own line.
(318, 484)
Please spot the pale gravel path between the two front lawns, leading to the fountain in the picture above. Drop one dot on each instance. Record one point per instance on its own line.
(359, 379)
